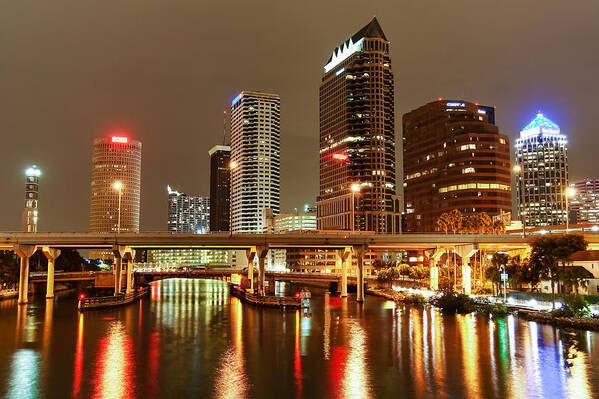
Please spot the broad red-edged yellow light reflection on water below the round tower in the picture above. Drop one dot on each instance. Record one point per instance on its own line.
(114, 376)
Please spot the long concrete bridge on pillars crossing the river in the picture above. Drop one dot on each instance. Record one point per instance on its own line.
(347, 245)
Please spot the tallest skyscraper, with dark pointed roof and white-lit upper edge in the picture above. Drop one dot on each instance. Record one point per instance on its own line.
(357, 137)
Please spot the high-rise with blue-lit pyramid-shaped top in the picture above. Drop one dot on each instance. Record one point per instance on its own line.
(542, 156)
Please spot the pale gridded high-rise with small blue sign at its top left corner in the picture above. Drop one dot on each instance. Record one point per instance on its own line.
(255, 159)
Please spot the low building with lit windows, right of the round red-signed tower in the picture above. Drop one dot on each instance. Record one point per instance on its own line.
(188, 213)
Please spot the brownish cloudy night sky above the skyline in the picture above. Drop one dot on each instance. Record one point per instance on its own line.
(163, 71)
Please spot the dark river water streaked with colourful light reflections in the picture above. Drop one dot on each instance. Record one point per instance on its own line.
(191, 339)
